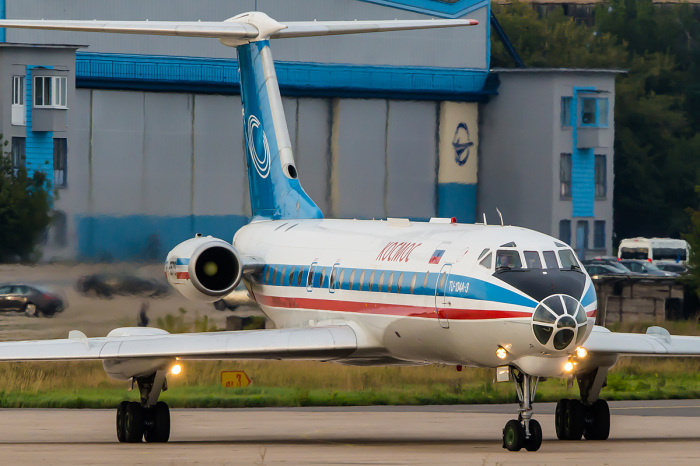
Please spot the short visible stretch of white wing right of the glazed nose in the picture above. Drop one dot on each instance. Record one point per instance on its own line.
(656, 342)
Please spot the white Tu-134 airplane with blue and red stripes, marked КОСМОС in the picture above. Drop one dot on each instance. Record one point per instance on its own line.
(391, 292)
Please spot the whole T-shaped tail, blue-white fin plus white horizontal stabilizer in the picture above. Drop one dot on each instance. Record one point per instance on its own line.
(275, 191)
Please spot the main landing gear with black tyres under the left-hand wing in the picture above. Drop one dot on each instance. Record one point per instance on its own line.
(148, 419)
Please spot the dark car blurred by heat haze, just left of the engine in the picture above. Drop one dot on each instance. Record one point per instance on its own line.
(108, 284)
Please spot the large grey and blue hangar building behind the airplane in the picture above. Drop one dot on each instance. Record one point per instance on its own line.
(144, 138)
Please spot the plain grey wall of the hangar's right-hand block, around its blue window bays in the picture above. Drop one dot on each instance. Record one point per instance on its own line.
(521, 149)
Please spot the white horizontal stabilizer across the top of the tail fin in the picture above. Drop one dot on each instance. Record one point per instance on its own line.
(233, 29)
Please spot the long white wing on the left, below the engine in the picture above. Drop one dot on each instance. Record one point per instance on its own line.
(317, 343)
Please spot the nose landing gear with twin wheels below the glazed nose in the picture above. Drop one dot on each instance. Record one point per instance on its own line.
(524, 432)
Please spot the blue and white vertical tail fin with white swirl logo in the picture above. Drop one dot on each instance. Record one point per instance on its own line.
(275, 191)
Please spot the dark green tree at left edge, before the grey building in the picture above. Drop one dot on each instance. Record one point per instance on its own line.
(24, 209)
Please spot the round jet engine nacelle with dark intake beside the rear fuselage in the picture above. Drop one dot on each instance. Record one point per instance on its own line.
(204, 268)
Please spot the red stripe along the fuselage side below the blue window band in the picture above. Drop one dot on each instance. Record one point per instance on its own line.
(383, 308)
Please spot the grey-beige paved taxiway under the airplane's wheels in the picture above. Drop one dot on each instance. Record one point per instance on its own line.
(642, 432)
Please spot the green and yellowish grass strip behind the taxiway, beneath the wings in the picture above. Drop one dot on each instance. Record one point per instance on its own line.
(298, 383)
